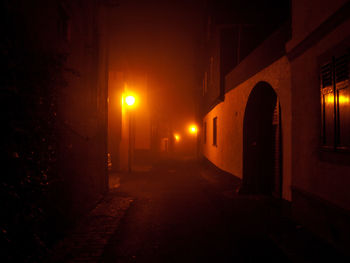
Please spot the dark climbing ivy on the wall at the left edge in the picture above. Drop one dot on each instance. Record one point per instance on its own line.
(30, 82)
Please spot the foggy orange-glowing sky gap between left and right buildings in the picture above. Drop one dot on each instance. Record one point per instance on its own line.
(159, 38)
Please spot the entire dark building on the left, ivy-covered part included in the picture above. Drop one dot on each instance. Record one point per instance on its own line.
(54, 116)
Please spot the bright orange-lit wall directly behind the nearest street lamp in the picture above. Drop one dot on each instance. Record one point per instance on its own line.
(123, 117)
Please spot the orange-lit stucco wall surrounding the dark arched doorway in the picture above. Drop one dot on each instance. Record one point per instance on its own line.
(228, 154)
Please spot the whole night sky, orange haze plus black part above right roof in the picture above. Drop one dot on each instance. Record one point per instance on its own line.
(162, 39)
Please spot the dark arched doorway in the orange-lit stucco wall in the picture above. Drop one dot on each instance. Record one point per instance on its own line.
(262, 147)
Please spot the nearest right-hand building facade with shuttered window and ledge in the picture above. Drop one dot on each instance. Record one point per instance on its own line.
(319, 57)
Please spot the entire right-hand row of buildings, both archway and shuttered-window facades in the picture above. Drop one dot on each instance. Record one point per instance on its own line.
(269, 114)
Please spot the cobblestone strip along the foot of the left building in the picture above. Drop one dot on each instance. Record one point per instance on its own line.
(87, 242)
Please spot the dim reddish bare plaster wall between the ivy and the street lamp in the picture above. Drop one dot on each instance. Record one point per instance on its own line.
(82, 113)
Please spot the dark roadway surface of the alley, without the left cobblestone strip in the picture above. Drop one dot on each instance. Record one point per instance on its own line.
(182, 214)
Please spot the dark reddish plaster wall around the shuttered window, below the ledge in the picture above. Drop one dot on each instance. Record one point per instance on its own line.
(327, 180)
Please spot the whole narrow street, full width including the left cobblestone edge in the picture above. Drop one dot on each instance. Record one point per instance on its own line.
(183, 212)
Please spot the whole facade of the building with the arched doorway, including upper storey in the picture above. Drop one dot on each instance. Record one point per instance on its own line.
(243, 59)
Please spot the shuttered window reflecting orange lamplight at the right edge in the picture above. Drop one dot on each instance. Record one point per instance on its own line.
(335, 102)
